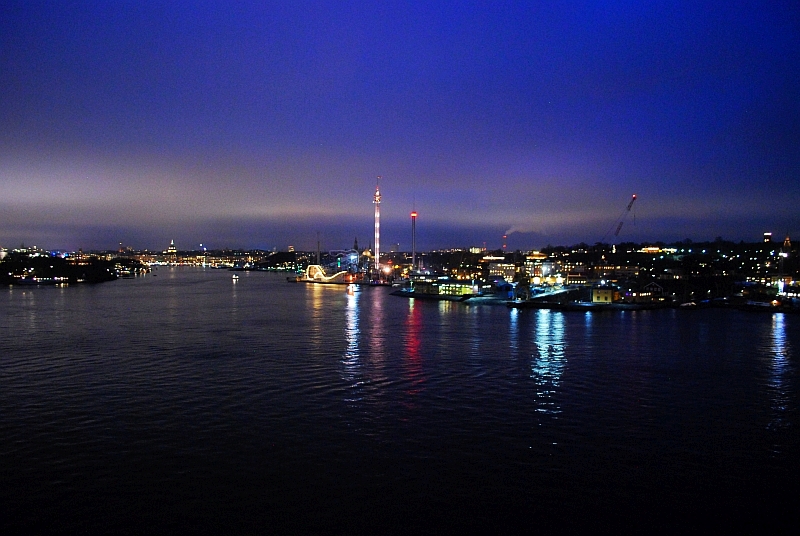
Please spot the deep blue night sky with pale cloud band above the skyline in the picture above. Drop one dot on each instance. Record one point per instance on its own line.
(261, 124)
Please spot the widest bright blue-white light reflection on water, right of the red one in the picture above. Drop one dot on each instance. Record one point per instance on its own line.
(548, 363)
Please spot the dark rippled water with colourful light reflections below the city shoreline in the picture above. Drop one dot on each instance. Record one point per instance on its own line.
(189, 403)
